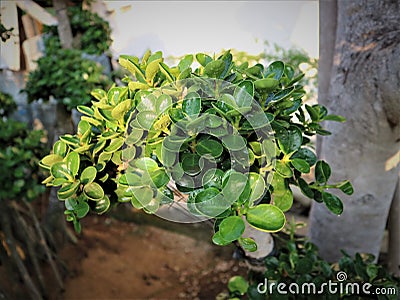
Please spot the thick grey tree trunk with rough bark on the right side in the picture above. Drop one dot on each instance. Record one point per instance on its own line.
(365, 88)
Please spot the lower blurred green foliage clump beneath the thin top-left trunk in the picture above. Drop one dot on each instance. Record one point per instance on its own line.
(65, 75)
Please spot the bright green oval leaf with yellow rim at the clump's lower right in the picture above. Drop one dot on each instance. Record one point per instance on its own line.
(266, 217)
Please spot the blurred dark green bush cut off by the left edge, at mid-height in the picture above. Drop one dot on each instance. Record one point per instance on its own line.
(20, 151)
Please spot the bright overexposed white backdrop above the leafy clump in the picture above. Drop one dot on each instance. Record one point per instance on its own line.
(179, 27)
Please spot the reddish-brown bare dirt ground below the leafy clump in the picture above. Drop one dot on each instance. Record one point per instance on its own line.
(126, 260)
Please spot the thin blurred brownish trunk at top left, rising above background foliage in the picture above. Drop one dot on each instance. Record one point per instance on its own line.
(64, 27)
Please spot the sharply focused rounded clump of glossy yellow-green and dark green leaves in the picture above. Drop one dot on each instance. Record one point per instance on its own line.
(234, 138)
